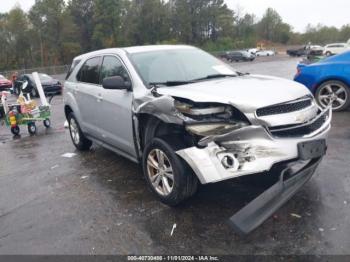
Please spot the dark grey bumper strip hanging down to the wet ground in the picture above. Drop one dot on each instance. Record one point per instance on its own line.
(260, 209)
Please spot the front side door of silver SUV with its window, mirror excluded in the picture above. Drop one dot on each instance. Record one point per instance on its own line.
(115, 113)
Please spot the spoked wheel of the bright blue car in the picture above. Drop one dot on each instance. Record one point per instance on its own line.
(333, 90)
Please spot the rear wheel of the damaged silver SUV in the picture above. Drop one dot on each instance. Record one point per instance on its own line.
(77, 136)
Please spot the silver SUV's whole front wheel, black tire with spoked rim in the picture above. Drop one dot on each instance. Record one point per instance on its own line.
(181, 182)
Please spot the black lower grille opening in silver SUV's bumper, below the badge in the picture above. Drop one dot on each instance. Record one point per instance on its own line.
(298, 131)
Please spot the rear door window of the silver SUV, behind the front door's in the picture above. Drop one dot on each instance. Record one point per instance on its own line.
(90, 71)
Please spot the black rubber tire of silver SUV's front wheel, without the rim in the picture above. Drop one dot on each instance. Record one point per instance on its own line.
(185, 183)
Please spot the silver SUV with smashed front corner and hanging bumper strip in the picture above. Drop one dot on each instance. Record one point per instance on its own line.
(189, 118)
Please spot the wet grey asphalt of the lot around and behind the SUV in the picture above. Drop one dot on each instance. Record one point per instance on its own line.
(98, 203)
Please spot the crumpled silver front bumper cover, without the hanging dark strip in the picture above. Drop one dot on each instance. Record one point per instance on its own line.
(247, 151)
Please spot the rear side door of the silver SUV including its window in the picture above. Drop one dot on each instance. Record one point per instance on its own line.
(88, 93)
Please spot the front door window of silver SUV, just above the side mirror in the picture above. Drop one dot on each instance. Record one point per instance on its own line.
(112, 66)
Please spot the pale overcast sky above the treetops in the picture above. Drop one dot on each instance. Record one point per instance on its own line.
(298, 13)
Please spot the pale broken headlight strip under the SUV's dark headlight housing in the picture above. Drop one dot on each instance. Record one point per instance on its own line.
(214, 129)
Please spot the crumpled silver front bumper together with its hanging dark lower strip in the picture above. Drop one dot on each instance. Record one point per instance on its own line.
(254, 150)
